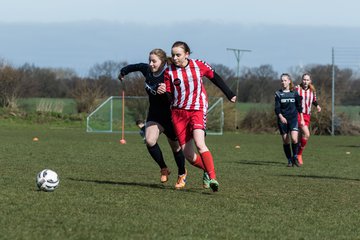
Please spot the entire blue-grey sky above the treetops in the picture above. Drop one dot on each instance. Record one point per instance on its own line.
(79, 33)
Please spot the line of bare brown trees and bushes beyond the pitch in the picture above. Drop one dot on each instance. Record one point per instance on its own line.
(256, 84)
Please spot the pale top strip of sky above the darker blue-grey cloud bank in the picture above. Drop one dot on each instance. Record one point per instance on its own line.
(304, 12)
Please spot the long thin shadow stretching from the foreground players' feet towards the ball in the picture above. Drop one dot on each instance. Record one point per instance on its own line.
(137, 184)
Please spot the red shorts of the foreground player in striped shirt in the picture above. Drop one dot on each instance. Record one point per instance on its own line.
(186, 121)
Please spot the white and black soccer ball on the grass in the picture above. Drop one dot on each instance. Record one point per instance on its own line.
(47, 180)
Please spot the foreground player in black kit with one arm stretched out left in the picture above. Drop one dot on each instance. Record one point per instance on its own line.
(159, 116)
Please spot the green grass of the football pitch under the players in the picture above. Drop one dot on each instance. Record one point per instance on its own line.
(112, 191)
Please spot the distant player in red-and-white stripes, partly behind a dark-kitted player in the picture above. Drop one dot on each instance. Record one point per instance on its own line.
(307, 93)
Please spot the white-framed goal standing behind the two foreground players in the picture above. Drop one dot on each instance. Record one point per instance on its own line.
(107, 117)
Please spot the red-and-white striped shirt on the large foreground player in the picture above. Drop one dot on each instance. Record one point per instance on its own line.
(186, 84)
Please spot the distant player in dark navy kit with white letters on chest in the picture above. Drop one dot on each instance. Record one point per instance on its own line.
(287, 108)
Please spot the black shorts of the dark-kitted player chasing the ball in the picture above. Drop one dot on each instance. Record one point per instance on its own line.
(164, 119)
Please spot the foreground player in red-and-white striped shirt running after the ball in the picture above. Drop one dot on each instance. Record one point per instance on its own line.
(184, 85)
